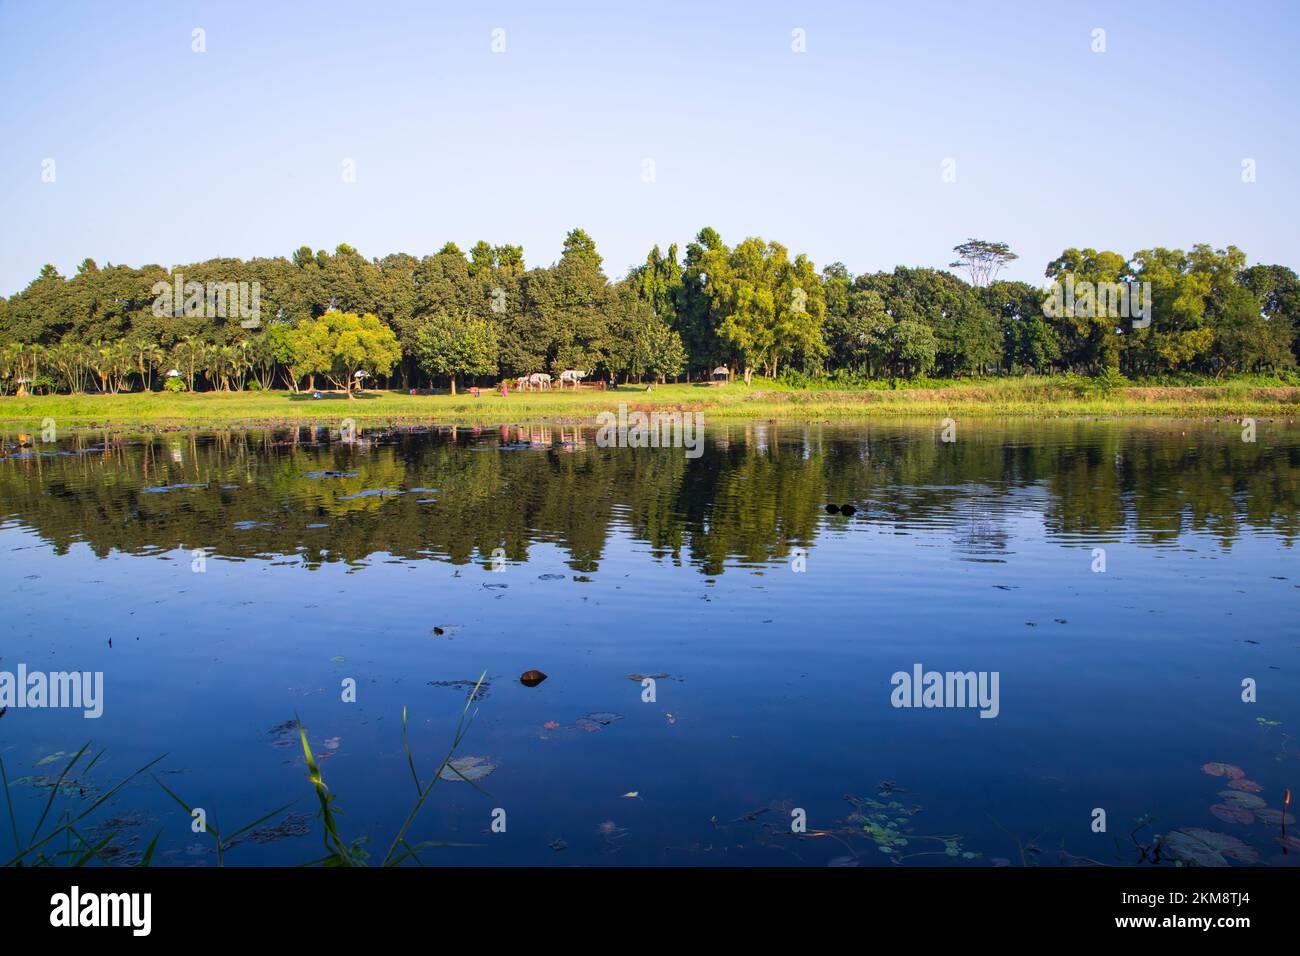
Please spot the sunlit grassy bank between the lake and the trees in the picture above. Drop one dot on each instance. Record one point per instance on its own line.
(991, 399)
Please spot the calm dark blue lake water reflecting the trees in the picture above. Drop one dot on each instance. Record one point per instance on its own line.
(773, 689)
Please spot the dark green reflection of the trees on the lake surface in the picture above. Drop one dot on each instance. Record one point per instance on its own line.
(458, 495)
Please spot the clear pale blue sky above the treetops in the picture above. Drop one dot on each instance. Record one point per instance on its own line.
(164, 155)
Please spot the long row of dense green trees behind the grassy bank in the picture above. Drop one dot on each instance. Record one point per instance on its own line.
(752, 309)
